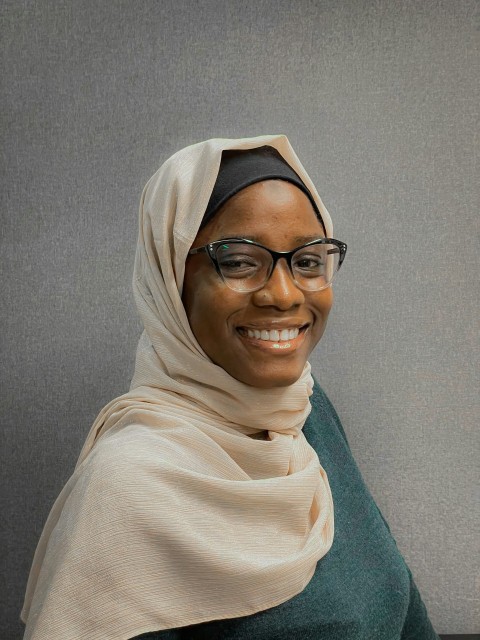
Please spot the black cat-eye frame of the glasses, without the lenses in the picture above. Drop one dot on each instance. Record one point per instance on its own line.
(211, 249)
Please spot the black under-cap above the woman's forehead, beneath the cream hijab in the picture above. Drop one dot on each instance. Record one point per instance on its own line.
(239, 168)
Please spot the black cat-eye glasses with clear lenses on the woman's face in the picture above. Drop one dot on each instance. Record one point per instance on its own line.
(246, 266)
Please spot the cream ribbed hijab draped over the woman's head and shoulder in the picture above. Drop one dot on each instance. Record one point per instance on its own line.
(175, 513)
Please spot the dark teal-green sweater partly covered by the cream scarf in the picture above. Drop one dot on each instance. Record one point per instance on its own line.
(362, 588)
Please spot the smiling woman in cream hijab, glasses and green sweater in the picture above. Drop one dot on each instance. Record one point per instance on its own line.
(202, 504)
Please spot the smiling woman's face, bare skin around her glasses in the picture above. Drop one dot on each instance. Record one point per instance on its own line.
(278, 215)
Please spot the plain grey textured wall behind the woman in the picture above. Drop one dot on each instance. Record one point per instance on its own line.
(379, 99)
